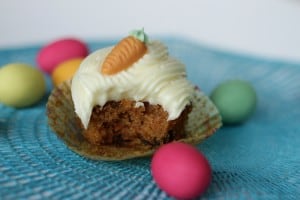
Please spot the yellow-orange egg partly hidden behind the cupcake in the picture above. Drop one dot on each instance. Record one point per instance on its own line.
(65, 70)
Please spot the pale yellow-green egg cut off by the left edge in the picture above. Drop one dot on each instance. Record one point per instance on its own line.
(21, 85)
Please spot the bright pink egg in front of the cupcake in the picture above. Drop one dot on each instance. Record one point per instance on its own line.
(181, 170)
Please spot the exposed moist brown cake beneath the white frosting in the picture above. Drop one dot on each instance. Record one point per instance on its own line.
(128, 123)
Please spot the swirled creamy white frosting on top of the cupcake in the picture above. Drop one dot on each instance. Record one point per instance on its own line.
(156, 78)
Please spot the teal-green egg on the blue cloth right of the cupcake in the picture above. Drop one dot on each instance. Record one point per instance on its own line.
(235, 99)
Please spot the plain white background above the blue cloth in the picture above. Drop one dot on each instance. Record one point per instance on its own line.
(269, 28)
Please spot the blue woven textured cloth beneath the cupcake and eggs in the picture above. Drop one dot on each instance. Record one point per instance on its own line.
(257, 160)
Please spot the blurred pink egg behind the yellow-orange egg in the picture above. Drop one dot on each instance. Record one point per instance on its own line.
(58, 51)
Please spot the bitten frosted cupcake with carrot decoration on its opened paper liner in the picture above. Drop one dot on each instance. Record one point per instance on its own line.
(126, 101)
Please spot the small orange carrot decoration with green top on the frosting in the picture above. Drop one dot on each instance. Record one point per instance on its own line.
(125, 53)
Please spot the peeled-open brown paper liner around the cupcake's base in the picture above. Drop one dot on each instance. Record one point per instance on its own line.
(203, 121)
